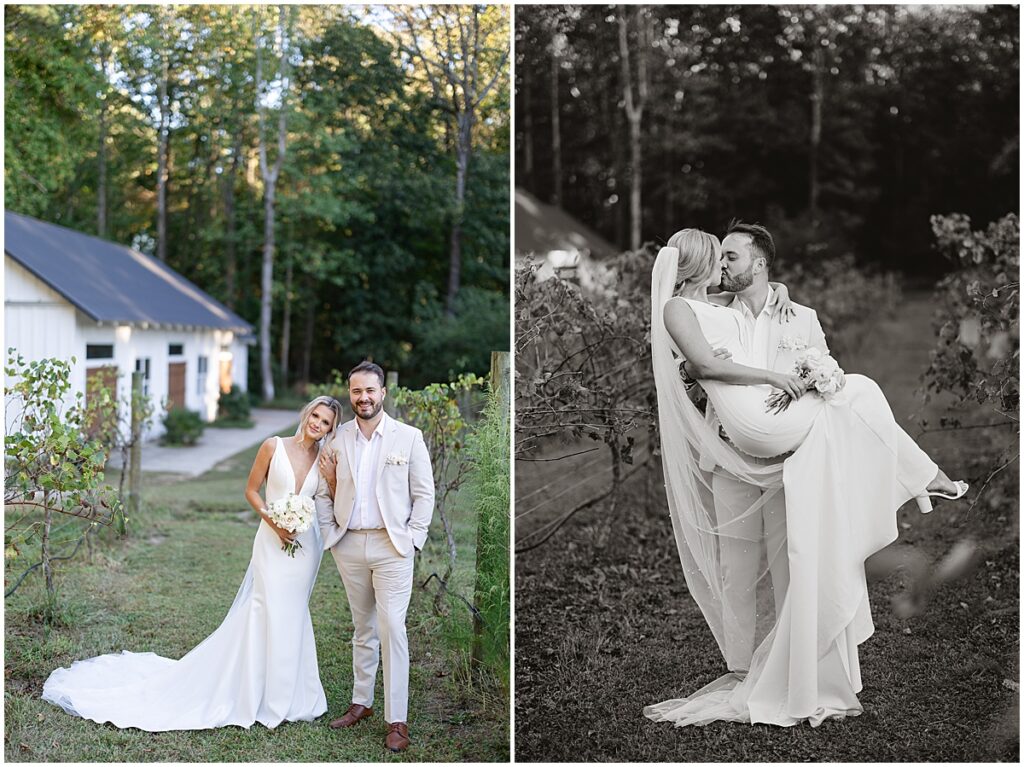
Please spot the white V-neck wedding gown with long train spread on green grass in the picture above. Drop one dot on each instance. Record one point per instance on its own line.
(259, 666)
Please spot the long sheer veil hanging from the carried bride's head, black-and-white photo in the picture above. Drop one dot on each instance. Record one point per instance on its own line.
(693, 452)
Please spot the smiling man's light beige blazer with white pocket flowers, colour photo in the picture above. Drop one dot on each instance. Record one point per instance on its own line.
(405, 488)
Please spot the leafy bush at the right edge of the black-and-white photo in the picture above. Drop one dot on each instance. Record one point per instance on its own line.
(977, 317)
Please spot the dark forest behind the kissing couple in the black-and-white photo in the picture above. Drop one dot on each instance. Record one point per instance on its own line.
(841, 129)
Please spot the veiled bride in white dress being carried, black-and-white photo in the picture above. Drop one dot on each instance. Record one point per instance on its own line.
(851, 468)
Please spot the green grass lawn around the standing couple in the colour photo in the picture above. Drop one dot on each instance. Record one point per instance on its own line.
(168, 586)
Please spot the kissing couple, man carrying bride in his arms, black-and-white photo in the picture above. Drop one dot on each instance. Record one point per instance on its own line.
(793, 460)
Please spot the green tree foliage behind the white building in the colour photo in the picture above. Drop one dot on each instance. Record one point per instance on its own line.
(364, 205)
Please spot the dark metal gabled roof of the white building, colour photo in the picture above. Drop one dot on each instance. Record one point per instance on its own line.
(111, 283)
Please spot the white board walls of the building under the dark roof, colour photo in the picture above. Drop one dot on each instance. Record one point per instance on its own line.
(39, 323)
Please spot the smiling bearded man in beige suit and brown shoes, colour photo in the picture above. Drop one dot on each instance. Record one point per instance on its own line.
(374, 505)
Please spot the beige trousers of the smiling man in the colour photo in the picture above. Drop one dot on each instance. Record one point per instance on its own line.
(379, 582)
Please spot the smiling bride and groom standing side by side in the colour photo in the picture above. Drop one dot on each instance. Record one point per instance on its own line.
(372, 485)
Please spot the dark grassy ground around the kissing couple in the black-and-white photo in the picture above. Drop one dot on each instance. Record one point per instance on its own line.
(605, 624)
